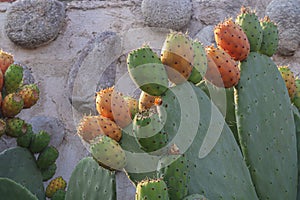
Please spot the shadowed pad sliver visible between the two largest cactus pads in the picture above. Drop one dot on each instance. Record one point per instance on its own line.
(223, 98)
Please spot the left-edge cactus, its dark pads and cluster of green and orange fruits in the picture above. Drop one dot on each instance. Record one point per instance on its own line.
(33, 151)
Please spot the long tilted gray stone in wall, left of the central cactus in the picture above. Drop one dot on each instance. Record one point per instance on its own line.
(91, 66)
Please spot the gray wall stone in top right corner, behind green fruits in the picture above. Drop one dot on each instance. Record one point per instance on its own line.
(286, 14)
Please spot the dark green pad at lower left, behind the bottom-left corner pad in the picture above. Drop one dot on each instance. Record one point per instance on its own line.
(19, 165)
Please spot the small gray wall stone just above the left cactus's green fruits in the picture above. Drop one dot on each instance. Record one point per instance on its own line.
(51, 125)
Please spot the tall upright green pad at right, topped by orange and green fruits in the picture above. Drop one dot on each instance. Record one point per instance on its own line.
(266, 128)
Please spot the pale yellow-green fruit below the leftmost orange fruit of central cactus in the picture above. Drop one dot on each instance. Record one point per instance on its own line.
(108, 153)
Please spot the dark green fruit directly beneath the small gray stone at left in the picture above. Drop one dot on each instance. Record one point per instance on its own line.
(39, 142)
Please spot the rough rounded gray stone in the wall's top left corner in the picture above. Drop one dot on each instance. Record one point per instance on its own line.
(32, 23)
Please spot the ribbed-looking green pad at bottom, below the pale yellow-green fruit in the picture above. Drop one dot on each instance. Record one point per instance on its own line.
(91, 181)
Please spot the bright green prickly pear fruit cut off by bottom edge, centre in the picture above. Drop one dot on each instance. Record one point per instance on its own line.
(151, 189)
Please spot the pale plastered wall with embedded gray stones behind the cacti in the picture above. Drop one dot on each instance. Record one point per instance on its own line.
(88, 52)
